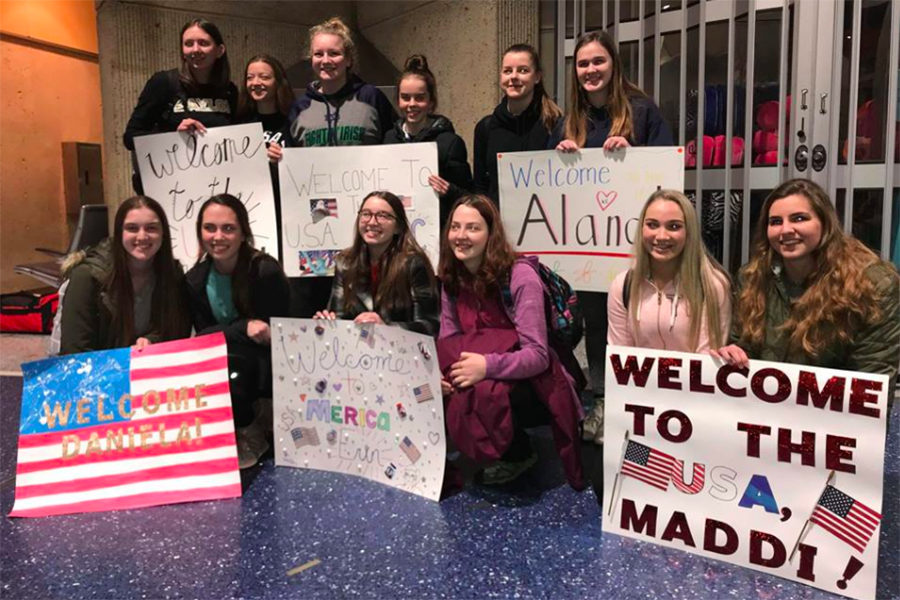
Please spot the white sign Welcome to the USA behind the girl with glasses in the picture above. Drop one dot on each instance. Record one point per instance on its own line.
(322, 190)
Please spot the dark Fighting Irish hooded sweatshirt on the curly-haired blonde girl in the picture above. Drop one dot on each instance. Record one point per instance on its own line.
(357, 115)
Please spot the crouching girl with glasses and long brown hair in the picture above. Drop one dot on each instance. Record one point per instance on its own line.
(384, 277)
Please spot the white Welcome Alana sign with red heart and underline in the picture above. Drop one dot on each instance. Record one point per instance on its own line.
(579, 212)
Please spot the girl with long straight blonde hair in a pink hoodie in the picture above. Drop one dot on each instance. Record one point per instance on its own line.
(676, 296)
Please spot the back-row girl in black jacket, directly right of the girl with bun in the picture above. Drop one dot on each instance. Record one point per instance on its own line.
(522, 121)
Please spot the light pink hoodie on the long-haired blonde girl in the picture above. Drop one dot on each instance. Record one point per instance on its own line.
(663, 324)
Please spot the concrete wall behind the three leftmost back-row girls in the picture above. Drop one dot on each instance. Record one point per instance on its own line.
(138, 39)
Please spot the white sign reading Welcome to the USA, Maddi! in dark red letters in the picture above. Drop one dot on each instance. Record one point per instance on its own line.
(777, 467)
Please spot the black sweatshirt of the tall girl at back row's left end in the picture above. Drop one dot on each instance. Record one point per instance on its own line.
(164, 104)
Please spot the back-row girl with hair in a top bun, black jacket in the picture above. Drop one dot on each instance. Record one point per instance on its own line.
(417, 100)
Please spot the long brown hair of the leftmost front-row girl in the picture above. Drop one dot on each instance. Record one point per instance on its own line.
(167, 313)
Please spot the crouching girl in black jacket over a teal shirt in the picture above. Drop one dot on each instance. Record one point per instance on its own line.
(236, 289)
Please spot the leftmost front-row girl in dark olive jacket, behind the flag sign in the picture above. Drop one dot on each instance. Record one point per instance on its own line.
(128, 290)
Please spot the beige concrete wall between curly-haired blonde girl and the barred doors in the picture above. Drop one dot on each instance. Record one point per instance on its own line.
(459, 38)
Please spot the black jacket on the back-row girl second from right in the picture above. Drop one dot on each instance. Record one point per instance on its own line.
(504, 132)
